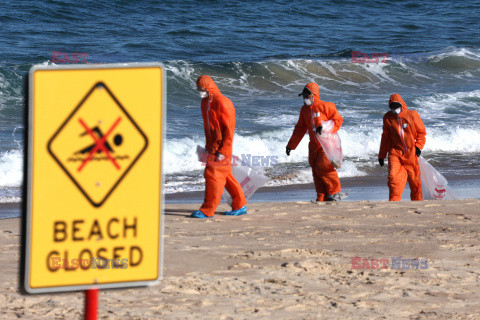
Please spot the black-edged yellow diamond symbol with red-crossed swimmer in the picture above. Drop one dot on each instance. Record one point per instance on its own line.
(98, 144)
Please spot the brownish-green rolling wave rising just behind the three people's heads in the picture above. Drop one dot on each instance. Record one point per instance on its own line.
(333, 73)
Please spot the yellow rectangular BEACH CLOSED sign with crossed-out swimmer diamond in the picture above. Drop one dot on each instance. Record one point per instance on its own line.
(94, 177)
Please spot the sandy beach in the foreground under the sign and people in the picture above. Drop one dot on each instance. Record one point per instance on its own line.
(290, 261)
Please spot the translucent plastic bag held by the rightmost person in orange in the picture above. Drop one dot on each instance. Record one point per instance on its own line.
(434, 184)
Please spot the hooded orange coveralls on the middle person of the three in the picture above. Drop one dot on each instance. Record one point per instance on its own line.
(325, 176)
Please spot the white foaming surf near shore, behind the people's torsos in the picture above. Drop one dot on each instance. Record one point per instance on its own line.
(360, 146)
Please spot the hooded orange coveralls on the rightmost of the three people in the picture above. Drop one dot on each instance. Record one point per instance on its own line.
(401, 134)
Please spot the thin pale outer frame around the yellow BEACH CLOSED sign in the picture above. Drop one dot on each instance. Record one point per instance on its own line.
(24, 282)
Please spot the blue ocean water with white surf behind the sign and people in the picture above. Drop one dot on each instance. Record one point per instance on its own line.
(261, 53)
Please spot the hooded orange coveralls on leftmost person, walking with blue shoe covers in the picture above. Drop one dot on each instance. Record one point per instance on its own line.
(218, 115)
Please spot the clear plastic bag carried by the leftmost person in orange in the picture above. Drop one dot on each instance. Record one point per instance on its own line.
(250, 179)
